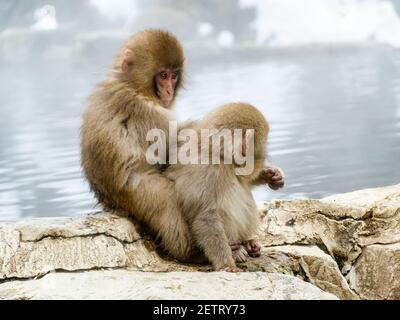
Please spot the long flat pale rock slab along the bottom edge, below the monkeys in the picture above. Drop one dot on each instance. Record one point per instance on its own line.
(123, 284)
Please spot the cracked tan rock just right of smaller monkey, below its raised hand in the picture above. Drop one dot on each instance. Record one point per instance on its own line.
(312, 222)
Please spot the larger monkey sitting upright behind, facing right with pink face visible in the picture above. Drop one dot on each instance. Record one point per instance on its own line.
(136, 97)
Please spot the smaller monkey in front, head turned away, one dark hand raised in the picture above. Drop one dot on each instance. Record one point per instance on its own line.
(215, 194)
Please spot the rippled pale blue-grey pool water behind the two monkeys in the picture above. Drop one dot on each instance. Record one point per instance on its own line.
(334, 116)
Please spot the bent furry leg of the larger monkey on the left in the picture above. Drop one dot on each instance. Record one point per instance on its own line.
(154, 201)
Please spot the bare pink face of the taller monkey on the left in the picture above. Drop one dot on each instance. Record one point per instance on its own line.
(166, 81)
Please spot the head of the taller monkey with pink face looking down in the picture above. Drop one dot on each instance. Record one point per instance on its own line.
(152, 63)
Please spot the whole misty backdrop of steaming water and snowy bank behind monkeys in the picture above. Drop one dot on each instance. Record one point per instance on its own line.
(325, 73)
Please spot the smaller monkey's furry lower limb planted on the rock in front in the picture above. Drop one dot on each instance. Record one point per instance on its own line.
(210, 236)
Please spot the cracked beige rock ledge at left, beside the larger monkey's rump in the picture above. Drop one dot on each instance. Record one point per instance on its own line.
(33, 248)
